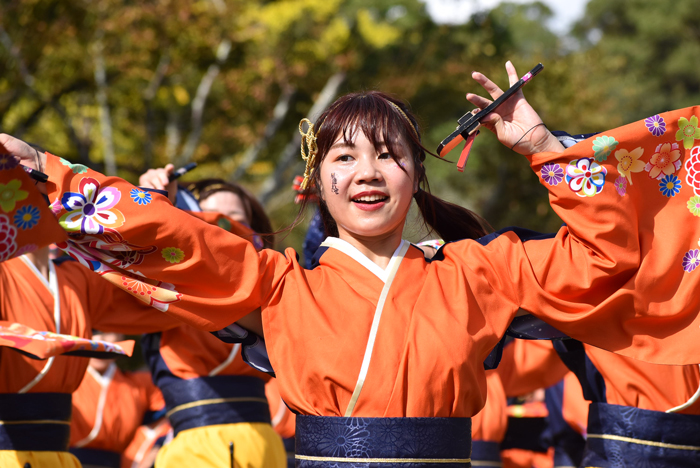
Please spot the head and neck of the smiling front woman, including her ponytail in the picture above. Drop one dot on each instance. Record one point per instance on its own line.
(368, 152)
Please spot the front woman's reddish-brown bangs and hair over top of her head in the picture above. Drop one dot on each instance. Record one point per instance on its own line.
(373, 115)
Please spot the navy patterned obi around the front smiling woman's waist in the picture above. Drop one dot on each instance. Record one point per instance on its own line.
(335, 442)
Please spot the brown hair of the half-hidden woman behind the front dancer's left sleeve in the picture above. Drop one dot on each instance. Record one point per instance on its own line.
(254, 211)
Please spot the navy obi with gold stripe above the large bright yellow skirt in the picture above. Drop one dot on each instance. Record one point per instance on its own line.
(208, 401)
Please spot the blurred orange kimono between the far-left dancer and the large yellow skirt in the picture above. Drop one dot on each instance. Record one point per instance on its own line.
(107, 411)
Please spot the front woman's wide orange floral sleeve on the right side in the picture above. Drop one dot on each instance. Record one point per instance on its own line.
(622, 273)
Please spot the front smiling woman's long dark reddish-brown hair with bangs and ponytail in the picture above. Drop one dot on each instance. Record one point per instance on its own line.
(385, 119)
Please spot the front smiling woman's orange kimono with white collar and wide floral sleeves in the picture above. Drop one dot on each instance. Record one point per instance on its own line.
(349, 338)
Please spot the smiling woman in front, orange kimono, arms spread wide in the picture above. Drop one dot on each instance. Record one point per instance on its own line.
(380, 351)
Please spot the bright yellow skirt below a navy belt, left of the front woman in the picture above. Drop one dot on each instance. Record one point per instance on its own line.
(255, 445)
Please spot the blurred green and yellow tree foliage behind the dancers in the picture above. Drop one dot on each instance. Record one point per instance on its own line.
(625, 60)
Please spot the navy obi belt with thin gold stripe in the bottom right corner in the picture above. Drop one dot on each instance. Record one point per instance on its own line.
(622, 436)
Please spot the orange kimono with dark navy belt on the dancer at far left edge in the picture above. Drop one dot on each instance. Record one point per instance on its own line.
(72, 301)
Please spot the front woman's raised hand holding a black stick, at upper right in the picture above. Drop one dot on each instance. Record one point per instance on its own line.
(515, 122)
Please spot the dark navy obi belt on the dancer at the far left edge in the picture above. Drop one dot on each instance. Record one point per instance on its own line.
(35, 421)
